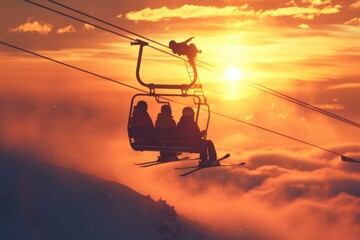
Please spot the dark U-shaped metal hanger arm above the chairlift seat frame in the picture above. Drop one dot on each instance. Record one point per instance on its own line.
(153, 86)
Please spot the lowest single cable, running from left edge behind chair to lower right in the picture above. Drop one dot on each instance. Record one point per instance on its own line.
(141, 90)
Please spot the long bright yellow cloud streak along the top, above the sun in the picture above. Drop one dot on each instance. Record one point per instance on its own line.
(186, 12)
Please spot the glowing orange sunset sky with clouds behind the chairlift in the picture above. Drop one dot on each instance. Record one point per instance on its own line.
(308, 49)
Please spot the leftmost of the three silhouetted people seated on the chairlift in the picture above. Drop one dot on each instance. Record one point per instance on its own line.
(141, 121)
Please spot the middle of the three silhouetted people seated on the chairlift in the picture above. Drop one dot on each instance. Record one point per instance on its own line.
(165, 122)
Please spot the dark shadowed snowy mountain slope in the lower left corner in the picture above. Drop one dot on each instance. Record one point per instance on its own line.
(40, 201)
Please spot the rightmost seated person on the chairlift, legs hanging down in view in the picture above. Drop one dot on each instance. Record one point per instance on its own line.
(187, 124)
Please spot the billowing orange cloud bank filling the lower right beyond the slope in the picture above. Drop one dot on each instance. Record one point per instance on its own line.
(280, 192)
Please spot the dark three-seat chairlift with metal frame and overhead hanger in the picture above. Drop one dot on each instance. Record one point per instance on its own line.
(167, 140)
